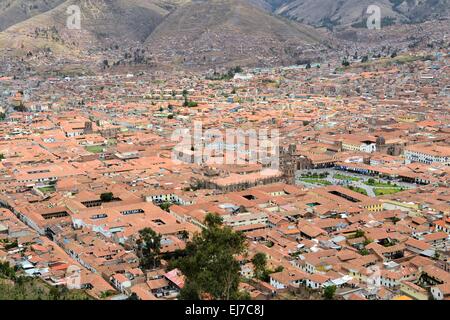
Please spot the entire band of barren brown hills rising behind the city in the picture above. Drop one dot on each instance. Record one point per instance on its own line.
(200, 33)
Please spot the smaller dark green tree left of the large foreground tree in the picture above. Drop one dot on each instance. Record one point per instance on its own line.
(148, 248)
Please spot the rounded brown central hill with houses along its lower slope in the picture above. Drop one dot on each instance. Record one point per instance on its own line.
(220, 32)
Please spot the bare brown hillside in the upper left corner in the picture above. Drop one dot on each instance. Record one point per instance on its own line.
(102, 22)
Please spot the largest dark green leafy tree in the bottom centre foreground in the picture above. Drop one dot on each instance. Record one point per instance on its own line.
(209, 265)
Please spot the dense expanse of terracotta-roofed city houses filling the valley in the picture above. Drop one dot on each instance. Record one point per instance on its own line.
(360, 200)
